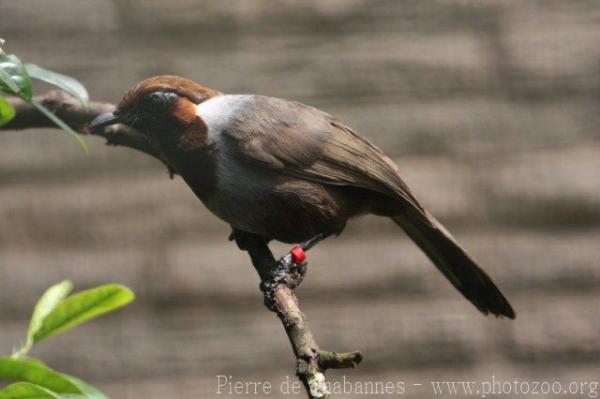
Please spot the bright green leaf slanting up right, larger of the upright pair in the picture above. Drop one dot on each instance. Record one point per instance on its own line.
(83, 306)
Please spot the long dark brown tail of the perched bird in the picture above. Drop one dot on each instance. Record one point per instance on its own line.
(452, 260)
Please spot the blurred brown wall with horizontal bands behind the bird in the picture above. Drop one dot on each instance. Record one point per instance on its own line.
(490, 108)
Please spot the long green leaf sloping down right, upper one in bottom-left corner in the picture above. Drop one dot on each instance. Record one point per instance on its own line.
(35, 372)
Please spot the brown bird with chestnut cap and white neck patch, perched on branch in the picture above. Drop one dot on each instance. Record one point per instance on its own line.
(285, 171)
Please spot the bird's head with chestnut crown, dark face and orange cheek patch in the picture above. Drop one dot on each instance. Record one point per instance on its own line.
(157, 103)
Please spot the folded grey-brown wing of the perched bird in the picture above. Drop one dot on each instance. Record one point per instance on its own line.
(304, 142)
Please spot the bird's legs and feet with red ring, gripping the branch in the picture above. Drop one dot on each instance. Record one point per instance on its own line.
(289, 269)
